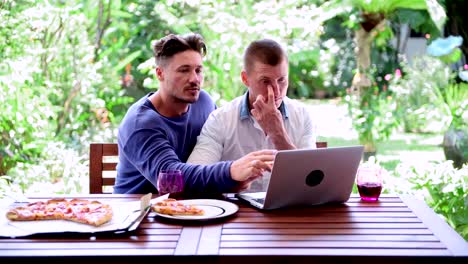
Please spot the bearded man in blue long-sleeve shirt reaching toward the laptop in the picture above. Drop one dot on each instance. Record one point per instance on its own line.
(160, 130)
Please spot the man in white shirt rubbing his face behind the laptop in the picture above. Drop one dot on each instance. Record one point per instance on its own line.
(263, 118)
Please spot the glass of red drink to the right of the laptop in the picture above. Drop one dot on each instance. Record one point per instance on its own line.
(369, 182)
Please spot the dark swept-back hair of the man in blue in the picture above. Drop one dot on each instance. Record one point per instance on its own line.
(172, 44)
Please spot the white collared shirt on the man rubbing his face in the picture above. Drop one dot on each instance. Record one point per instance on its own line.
(231, 132)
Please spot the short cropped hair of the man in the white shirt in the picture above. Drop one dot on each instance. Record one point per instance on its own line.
(266, 51)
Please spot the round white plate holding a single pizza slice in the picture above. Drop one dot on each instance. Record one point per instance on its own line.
(213, 209)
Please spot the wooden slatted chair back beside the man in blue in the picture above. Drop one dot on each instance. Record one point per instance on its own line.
(103, 159)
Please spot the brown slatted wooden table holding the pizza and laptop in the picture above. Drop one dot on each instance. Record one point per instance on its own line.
(394, 230)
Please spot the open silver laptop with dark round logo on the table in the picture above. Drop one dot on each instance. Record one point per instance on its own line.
(309, 177)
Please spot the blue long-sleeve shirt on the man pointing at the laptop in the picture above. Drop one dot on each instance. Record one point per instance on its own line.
(149, 142)
